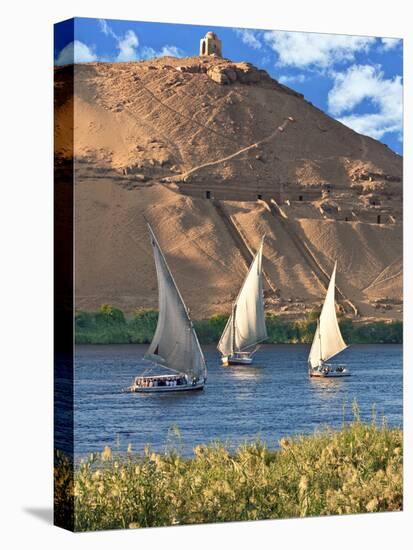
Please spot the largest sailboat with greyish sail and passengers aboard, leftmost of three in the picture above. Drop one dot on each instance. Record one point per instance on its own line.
(175, 346)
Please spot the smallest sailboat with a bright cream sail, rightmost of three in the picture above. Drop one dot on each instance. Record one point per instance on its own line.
(328, 341)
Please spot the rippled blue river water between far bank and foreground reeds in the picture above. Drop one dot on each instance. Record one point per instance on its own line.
(270, 399)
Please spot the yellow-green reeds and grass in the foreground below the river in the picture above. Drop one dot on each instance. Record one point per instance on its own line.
(357, 469)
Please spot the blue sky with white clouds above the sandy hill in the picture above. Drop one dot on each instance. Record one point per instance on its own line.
(355, 79)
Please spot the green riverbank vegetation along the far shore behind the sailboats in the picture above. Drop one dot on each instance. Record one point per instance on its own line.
(109, 325)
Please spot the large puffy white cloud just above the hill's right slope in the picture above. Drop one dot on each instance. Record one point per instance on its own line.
(361, 82)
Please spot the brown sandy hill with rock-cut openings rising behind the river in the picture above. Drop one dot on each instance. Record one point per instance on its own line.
(214, 154)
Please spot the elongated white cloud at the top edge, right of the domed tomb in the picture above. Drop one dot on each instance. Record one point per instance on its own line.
(301, 49)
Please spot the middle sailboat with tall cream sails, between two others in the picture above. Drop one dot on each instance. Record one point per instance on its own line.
(245, 328)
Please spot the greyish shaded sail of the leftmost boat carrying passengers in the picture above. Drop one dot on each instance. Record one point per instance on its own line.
(175, 344)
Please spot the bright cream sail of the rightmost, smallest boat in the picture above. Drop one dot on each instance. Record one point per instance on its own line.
(327, 339)
